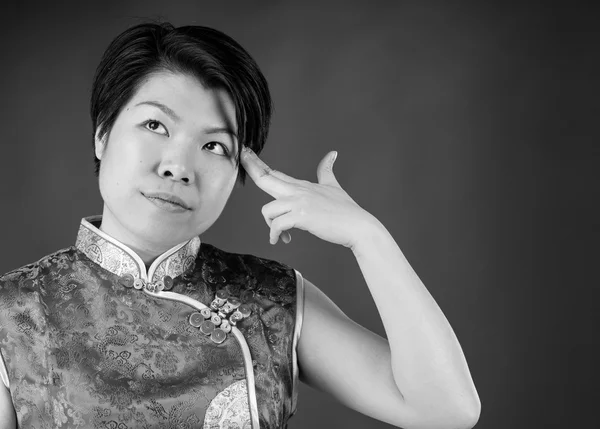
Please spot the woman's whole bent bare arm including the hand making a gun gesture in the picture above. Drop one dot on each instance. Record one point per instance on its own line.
(419, 378)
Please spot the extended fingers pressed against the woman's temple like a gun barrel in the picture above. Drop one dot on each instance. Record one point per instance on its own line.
(273, 182)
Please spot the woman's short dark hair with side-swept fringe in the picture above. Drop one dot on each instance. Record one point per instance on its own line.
(211, 56)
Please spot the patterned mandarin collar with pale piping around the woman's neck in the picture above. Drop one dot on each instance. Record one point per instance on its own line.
(119, 259)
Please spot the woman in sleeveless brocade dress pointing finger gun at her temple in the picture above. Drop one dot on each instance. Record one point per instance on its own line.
(139, 324)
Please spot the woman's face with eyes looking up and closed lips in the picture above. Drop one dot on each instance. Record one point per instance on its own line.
(173, 140)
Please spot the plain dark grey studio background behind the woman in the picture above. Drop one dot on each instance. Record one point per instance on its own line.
(467, 129)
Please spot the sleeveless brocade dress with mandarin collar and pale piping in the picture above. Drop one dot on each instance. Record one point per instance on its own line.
(202, 339)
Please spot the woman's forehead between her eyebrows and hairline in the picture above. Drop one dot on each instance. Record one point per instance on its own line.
(188, 98)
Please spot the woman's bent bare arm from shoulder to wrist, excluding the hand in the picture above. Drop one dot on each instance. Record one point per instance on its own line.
(419, 379)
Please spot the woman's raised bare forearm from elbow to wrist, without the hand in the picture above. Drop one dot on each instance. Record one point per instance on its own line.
(427, 361)
